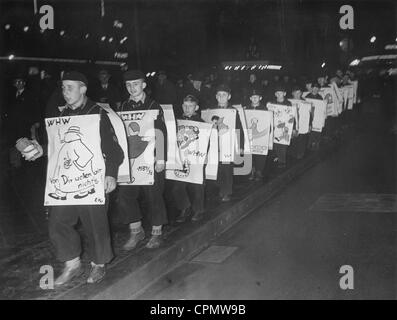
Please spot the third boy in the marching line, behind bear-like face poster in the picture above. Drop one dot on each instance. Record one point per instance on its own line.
(181, 189)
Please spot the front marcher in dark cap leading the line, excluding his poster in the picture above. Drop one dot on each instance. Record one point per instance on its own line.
(63, 218)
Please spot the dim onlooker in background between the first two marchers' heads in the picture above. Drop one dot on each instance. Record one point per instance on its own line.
(106, 92)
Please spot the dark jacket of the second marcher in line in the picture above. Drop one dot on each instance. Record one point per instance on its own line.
(159, 123)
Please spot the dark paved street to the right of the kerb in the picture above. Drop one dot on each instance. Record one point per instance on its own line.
(294, 246)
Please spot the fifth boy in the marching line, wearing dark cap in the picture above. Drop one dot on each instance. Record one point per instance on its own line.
(258, 161)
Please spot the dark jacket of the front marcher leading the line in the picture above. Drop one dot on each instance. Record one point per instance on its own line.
(112, 152)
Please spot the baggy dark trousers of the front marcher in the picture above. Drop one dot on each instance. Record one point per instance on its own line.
(66, 239)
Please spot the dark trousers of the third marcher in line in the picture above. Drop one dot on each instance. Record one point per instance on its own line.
(181, 191)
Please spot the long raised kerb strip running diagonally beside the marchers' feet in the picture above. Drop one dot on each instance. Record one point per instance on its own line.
(137, 271)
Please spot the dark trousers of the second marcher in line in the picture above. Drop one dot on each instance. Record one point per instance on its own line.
(153, 194)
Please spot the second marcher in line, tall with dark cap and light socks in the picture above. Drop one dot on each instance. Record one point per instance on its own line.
(128, 195)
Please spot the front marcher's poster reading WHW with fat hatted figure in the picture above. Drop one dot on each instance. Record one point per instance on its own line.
(76, 168)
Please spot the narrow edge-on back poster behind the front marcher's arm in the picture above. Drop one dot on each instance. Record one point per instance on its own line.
(118, 126)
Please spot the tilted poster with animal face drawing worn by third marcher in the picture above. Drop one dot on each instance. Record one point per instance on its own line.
(192, 140)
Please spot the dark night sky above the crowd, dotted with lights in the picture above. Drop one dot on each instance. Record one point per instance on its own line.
(186, 35)
